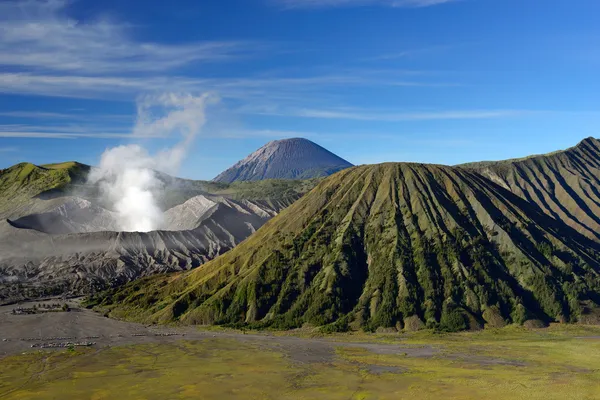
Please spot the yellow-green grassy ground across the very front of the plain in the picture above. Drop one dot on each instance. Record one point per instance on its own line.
(510, 363)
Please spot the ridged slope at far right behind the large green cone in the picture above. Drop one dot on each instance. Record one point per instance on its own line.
(565, 184)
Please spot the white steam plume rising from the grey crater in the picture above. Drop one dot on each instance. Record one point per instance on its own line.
(126, 174)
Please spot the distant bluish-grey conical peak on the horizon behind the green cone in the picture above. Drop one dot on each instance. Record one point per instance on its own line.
(285, 159)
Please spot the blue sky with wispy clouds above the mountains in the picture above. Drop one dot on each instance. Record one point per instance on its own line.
(437, 81)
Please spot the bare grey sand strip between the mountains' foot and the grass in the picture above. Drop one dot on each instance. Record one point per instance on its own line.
(19, 332)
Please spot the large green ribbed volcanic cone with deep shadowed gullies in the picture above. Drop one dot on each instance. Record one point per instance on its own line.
(386, 246)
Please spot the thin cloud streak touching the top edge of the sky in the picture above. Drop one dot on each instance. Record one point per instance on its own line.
(293, 4)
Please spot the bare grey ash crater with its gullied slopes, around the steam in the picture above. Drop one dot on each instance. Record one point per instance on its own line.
(38, 257)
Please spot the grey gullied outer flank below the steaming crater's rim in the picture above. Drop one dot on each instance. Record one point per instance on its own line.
(34, 264)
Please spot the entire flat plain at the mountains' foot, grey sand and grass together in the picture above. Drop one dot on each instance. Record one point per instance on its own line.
(133, 361)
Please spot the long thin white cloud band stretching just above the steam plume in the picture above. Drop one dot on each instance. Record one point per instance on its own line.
(248, 88)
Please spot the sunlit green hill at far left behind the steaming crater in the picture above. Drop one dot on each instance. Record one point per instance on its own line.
(23, 181)
